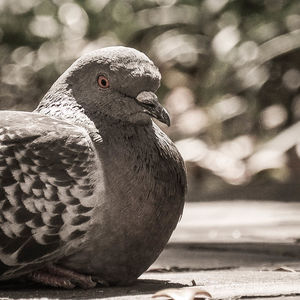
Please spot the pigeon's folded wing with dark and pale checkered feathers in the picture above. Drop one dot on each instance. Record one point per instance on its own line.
(48, 170)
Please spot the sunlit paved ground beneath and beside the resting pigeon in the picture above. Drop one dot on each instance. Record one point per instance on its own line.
(232, 249)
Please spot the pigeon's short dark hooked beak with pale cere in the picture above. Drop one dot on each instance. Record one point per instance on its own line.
(152, 107)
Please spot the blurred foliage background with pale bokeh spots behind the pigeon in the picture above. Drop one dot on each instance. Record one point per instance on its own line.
(230, 78)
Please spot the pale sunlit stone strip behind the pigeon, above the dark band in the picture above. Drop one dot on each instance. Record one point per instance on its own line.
(239, 221)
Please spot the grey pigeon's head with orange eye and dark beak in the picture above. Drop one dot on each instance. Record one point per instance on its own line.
(117, 83)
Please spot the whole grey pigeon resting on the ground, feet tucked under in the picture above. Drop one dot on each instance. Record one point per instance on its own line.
(91, 188)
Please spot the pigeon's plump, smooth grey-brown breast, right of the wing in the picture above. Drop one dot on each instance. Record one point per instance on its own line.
(145, 186)
